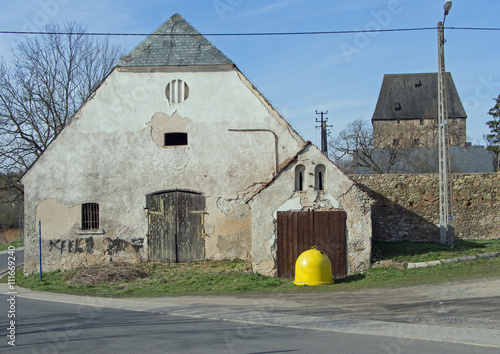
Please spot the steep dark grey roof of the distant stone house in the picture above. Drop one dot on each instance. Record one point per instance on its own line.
(415, 96)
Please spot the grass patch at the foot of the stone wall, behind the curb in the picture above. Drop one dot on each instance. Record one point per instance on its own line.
(407, 251)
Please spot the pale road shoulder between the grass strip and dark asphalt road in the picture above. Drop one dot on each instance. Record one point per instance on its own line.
(334, 312)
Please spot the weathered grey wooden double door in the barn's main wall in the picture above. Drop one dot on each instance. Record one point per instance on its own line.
(176, 226)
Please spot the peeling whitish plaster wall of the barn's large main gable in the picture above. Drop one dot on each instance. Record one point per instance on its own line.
(110, 153)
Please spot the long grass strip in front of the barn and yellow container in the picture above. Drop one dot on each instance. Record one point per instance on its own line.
(234, 277)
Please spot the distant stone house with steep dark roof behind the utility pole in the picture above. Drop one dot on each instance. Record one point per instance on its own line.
(407, 111)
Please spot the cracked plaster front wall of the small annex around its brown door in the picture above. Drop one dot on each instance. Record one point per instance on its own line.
(340, 193)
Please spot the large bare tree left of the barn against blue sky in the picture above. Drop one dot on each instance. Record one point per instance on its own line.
(46, 82)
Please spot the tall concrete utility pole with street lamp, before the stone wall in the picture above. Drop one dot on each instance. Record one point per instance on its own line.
(446, 222)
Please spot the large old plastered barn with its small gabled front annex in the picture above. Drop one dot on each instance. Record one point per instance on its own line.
(178, 157)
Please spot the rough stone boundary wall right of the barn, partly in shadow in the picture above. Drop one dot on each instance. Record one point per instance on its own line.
(407, 206)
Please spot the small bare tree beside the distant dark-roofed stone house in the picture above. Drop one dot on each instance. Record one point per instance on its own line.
(358, 147)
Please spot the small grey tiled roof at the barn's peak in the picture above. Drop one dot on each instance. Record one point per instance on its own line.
(175, 43)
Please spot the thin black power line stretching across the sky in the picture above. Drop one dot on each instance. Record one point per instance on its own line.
(253, 33)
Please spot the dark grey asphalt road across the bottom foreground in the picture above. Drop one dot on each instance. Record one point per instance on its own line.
(55, 327)
